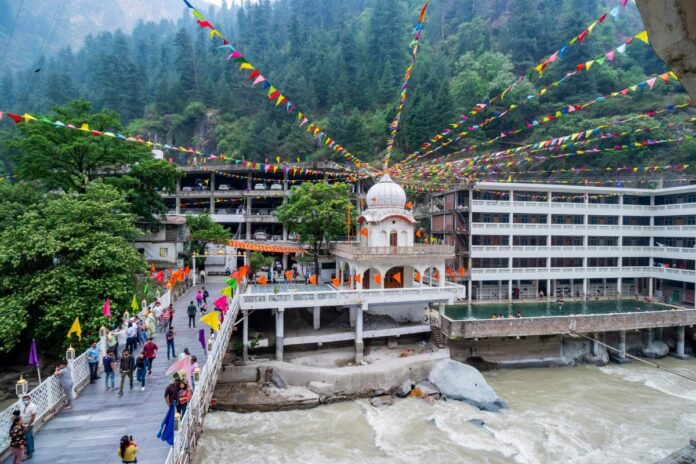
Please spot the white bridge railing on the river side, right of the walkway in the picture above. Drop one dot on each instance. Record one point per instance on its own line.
(191, 424)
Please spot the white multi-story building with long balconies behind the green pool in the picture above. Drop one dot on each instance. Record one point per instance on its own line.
(530, 241)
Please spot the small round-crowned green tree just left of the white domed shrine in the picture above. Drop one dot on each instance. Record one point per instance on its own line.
(317, 212)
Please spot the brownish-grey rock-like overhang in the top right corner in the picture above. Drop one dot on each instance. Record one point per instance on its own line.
(671, 26)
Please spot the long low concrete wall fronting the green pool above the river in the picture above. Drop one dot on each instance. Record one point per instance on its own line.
(564, 324)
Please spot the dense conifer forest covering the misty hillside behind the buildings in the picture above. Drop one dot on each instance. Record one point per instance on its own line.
(342, 63)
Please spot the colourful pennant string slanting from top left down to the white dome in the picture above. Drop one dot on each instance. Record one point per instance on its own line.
(273, 94)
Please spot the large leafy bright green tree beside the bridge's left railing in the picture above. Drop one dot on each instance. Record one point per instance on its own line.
(62, 256)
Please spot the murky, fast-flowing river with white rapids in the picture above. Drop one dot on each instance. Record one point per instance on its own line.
(614, 414)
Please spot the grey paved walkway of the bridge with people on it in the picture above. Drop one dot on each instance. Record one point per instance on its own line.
(91, 430)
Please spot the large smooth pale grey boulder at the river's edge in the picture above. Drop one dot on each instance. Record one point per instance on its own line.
(462, 382)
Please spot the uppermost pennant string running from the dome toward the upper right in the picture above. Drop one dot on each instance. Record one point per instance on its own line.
(539, 69)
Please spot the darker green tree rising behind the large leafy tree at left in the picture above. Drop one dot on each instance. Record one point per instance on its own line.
(72, 159)
